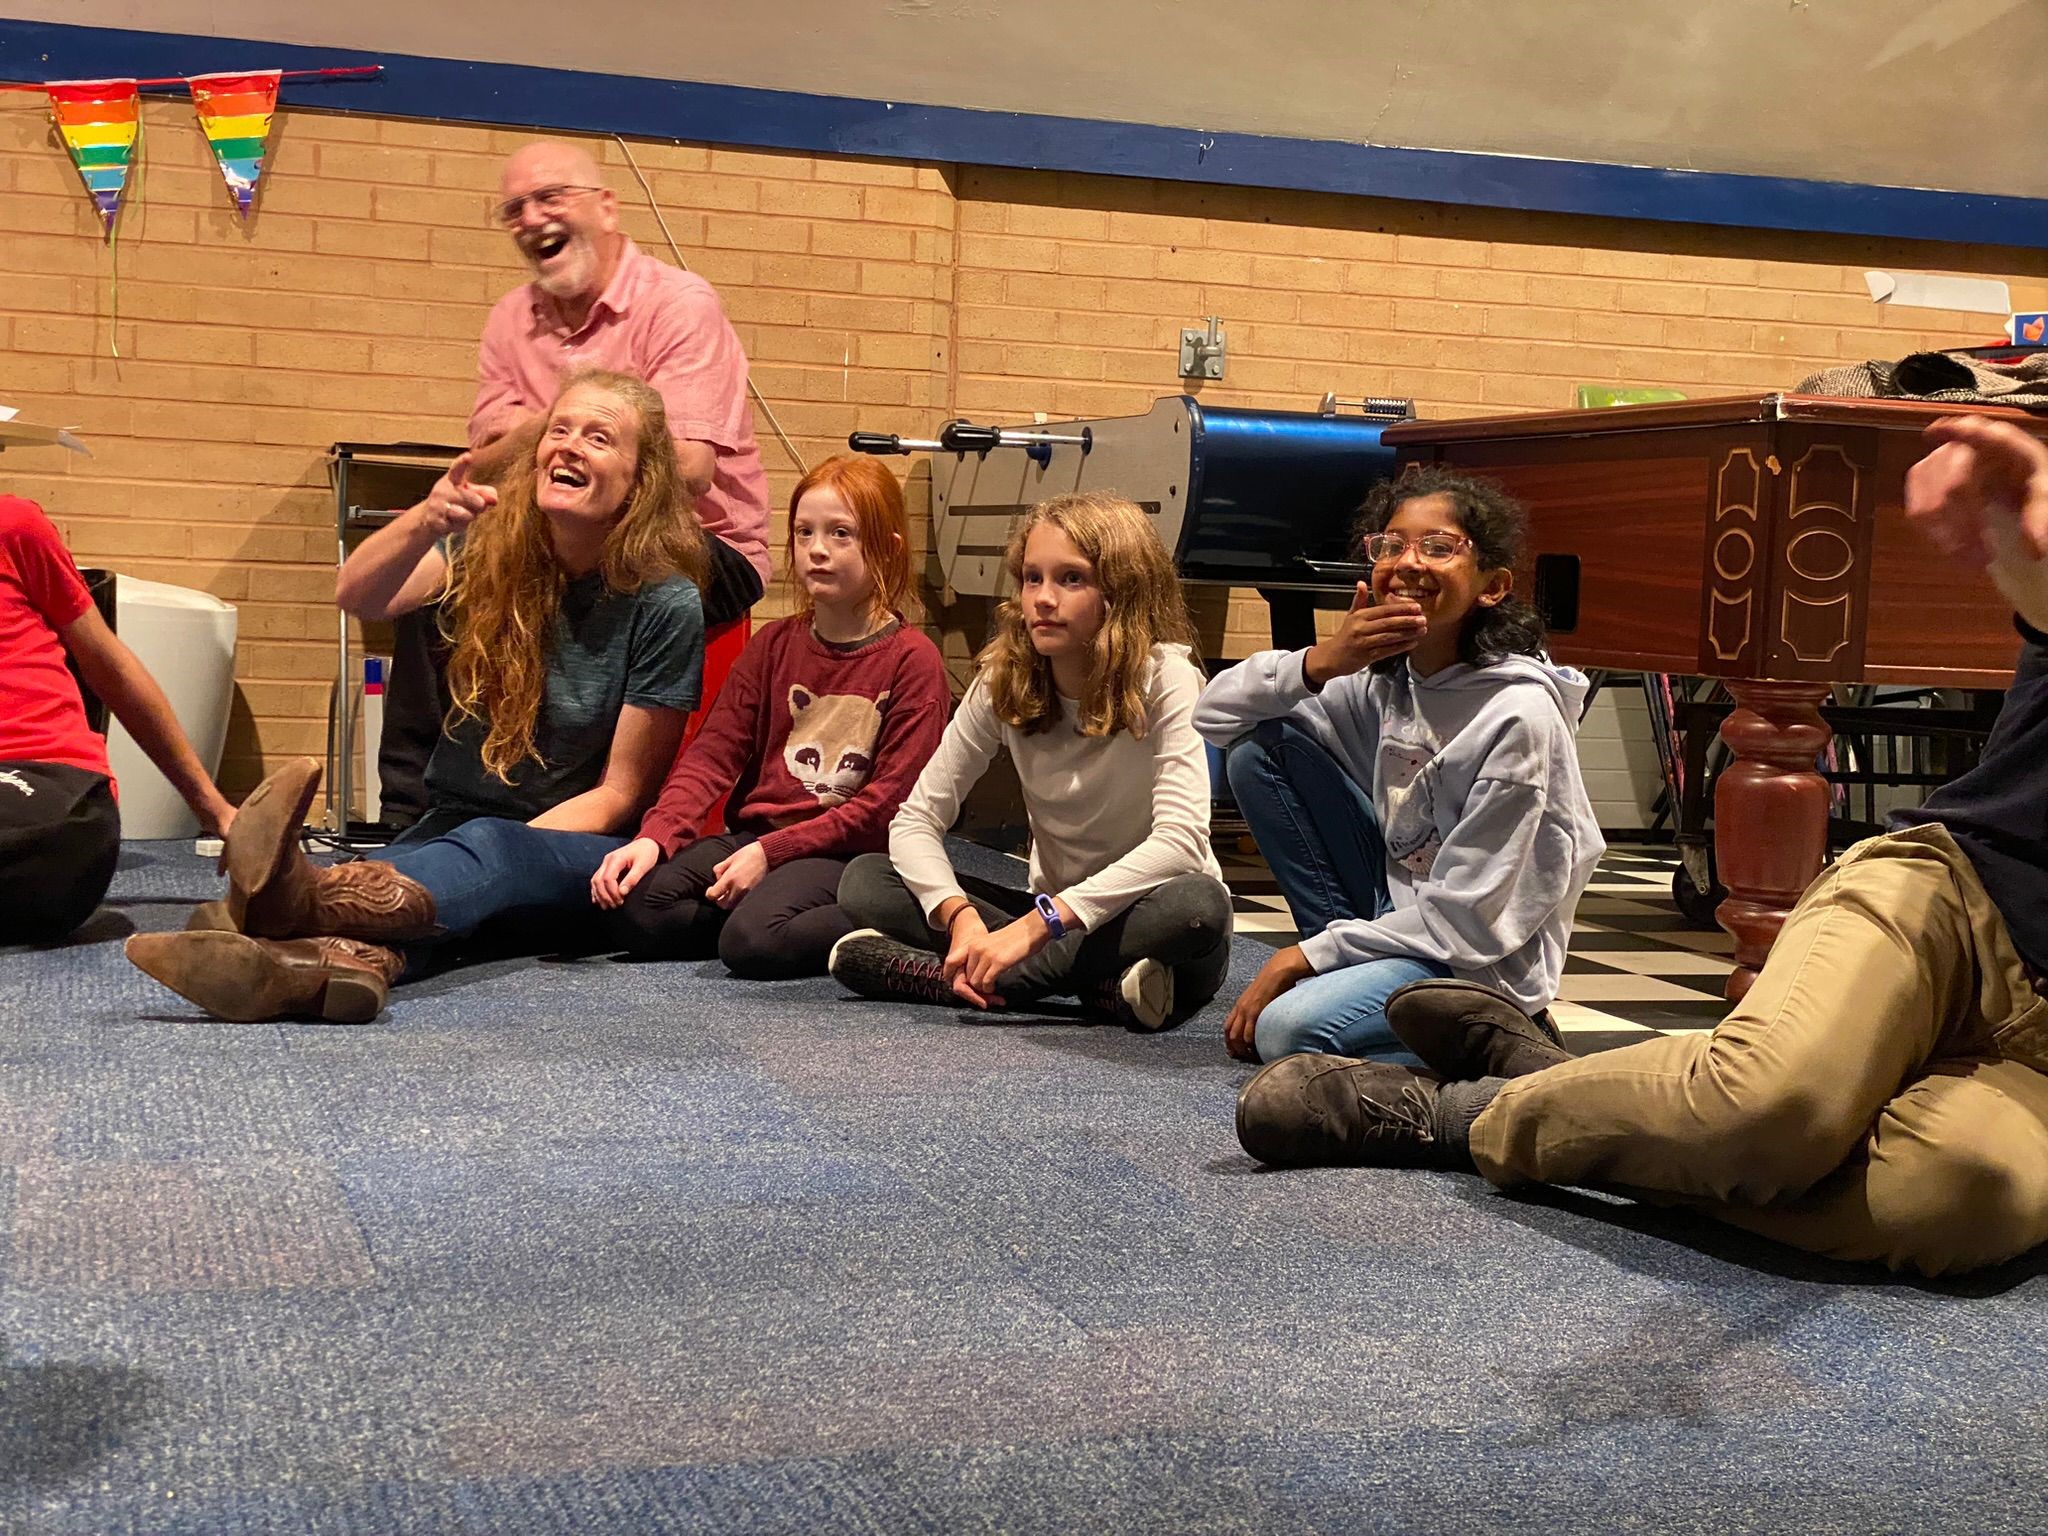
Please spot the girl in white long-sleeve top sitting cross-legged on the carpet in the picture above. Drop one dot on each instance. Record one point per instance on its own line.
(1091, 687)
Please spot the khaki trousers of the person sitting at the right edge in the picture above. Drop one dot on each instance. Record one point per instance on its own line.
(1893, 959)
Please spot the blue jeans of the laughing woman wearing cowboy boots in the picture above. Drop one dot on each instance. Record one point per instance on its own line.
(493, 869)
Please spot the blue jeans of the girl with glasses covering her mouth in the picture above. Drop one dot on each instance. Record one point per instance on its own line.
(1322, 839)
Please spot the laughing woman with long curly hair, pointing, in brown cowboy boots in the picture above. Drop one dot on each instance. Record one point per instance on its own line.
(579, 648)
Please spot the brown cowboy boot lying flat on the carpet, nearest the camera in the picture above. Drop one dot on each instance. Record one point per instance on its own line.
(259, 980)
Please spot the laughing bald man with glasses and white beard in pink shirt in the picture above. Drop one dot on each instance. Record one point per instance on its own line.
(599, 302)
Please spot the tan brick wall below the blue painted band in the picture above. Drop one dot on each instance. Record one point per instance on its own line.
(867, 294)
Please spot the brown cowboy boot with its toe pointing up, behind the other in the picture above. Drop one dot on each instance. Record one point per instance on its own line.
(278, 892)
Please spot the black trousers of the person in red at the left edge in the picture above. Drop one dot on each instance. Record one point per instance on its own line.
(60, 839)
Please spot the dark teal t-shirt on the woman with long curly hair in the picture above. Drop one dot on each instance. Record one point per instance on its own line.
(611, 650)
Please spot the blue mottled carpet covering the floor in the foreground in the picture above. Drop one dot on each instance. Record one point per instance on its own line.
(589, 1246)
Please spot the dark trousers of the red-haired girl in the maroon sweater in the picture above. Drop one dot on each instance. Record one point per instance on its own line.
(785, 927)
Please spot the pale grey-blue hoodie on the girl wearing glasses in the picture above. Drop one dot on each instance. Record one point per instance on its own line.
(1476, 779)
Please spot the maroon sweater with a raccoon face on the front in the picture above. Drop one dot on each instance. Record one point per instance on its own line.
(816, 742)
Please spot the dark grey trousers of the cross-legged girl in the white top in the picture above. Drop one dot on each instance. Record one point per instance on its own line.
(1183, 925)
